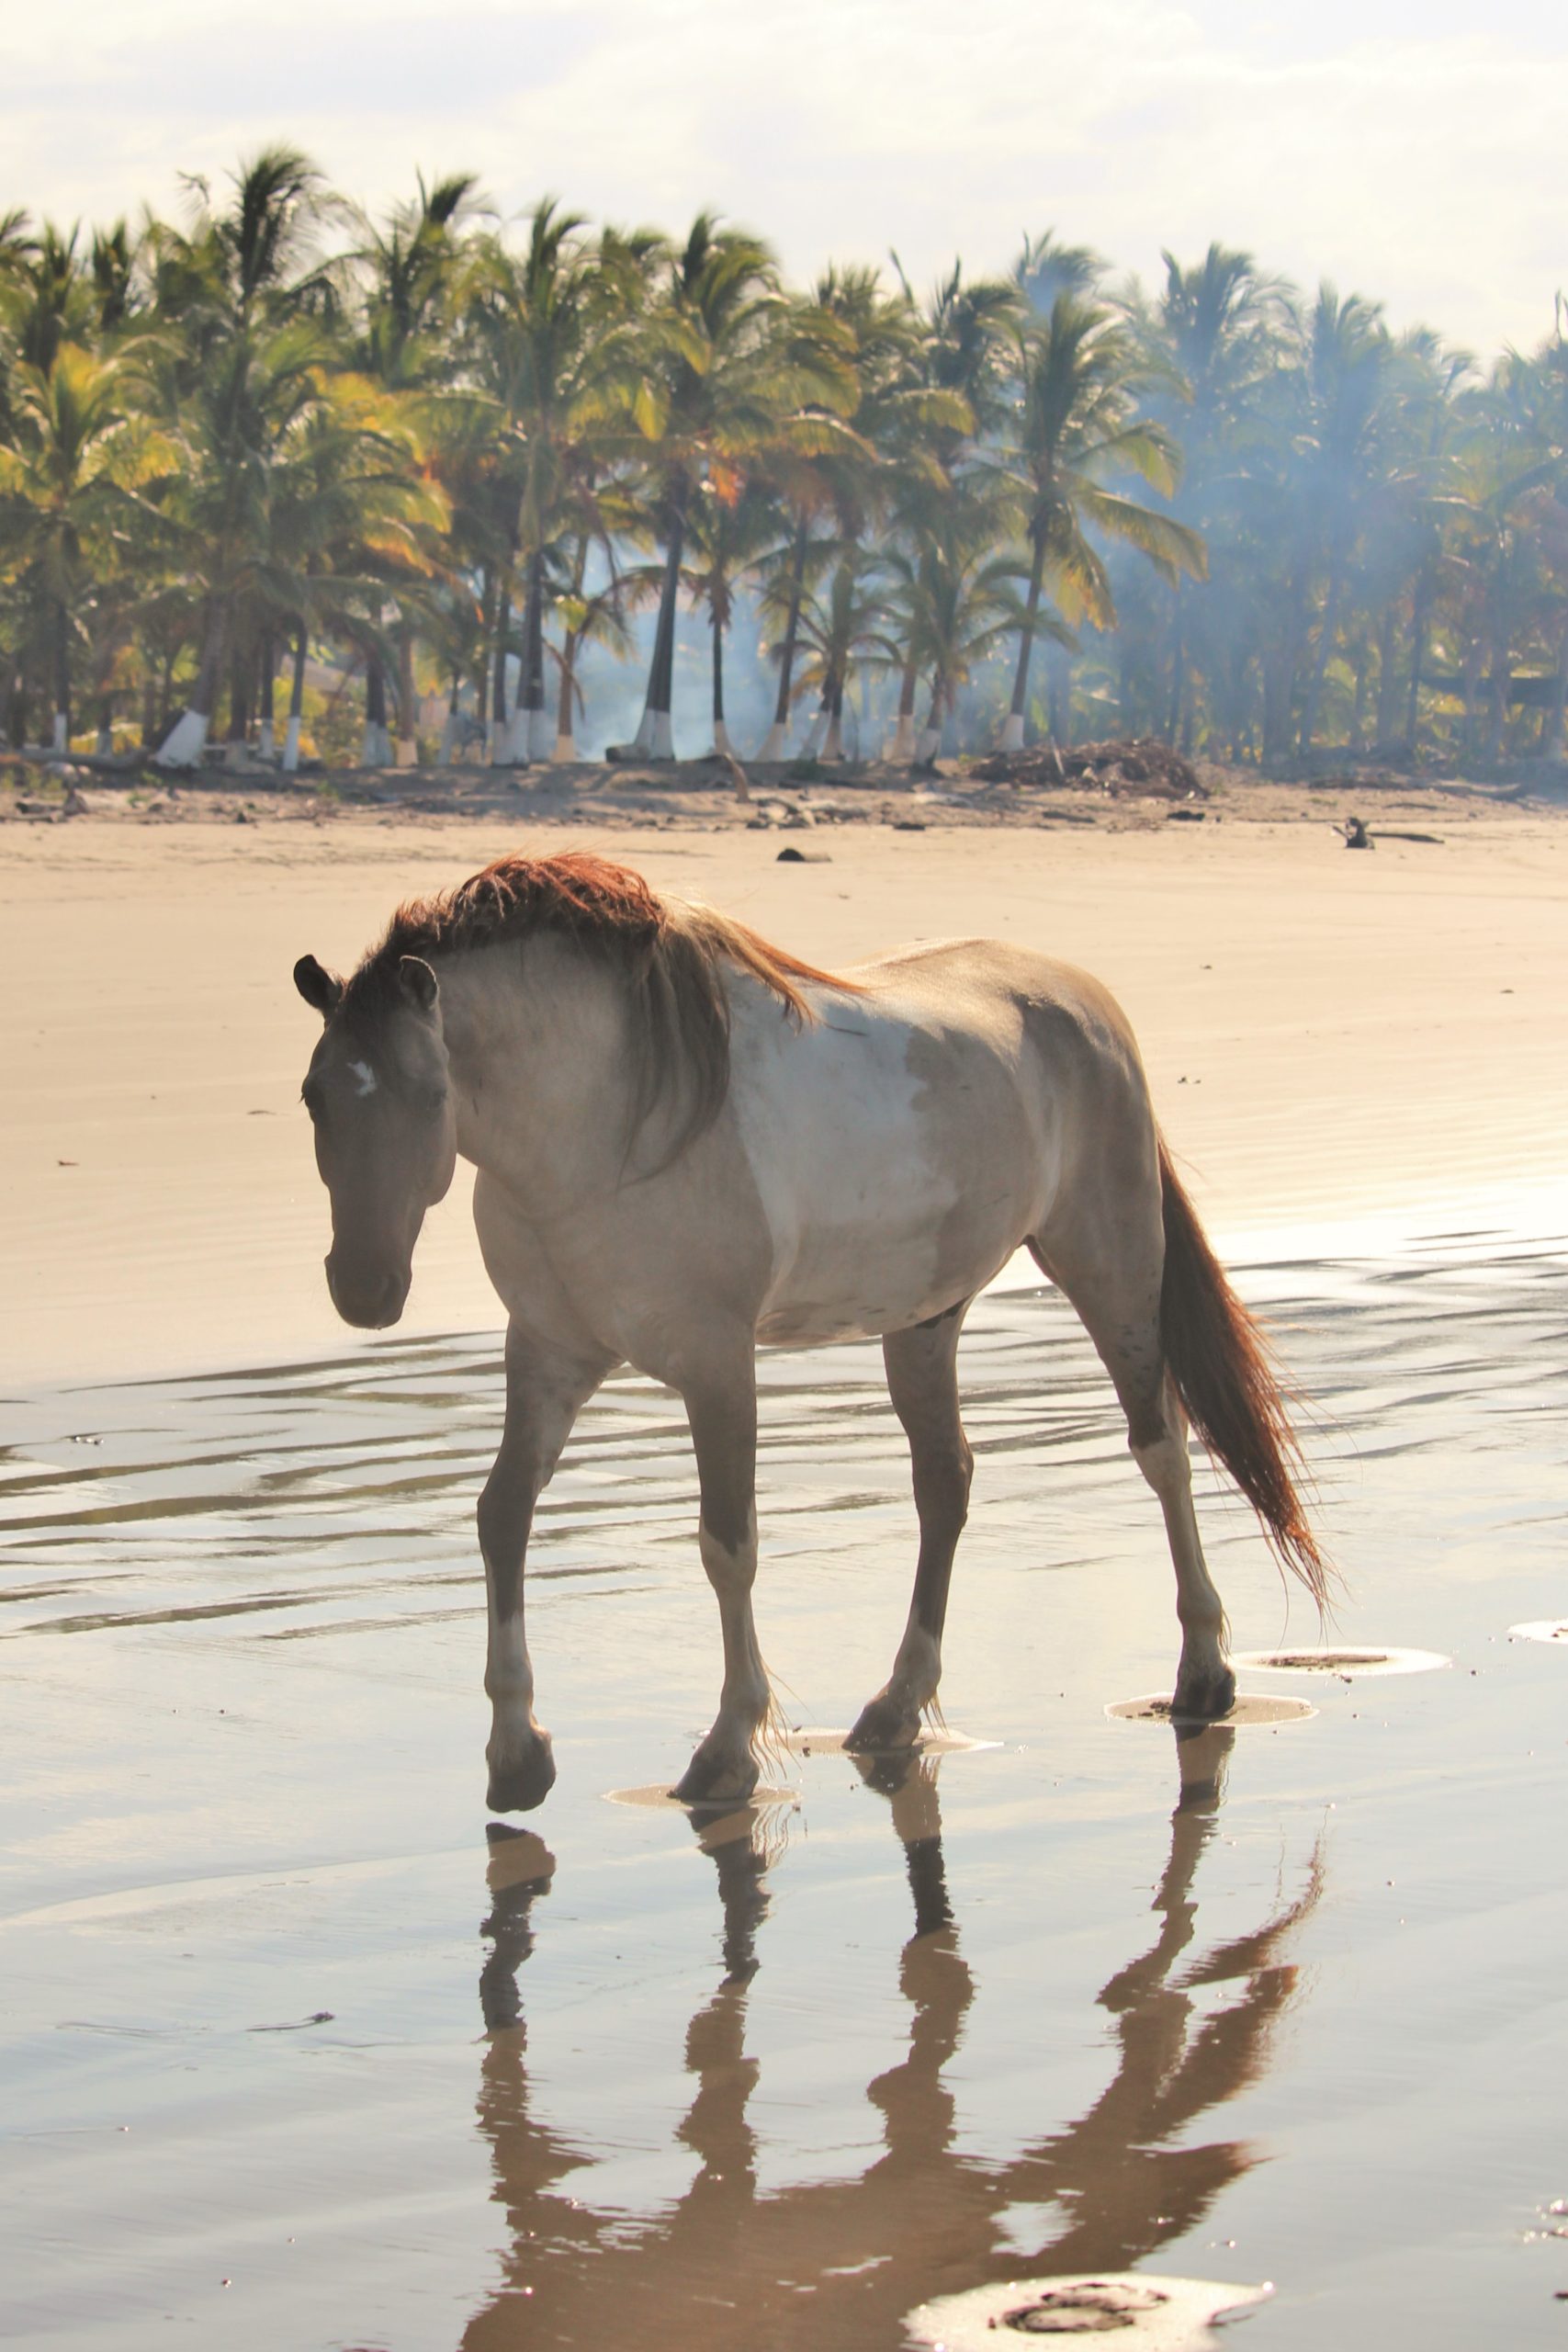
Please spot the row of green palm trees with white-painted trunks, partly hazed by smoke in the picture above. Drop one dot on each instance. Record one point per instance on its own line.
(286, 450)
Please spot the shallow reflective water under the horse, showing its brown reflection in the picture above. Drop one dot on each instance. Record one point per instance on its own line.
(297, 2057)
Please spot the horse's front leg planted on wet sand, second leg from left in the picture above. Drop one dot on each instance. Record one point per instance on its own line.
(723, 1415)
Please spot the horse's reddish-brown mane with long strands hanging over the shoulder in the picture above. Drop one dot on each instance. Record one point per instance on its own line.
(669, 954)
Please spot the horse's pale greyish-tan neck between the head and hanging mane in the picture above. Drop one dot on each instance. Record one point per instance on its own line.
(537, 1067)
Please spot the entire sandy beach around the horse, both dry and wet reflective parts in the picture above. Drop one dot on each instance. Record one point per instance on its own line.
(297, 2052)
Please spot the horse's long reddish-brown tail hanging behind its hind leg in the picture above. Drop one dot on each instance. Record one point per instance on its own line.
(1221, 1365)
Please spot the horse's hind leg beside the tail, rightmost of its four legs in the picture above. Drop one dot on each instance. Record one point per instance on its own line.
(1111, 1267)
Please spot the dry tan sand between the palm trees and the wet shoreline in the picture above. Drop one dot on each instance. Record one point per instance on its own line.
(1327, 1034)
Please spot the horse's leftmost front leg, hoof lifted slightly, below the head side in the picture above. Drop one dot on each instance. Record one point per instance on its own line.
(544, 1396)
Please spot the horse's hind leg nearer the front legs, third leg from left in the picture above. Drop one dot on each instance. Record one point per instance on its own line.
(925, 1389)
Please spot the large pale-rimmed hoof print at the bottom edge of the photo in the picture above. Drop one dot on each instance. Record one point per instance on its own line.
(1165, 2316)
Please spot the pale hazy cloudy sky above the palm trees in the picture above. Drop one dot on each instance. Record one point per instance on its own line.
(1409, 152)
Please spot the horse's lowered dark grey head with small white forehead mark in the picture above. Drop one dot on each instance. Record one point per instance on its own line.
(380, 1097)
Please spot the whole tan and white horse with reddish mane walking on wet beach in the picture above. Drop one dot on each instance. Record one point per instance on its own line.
(692, 1144)
